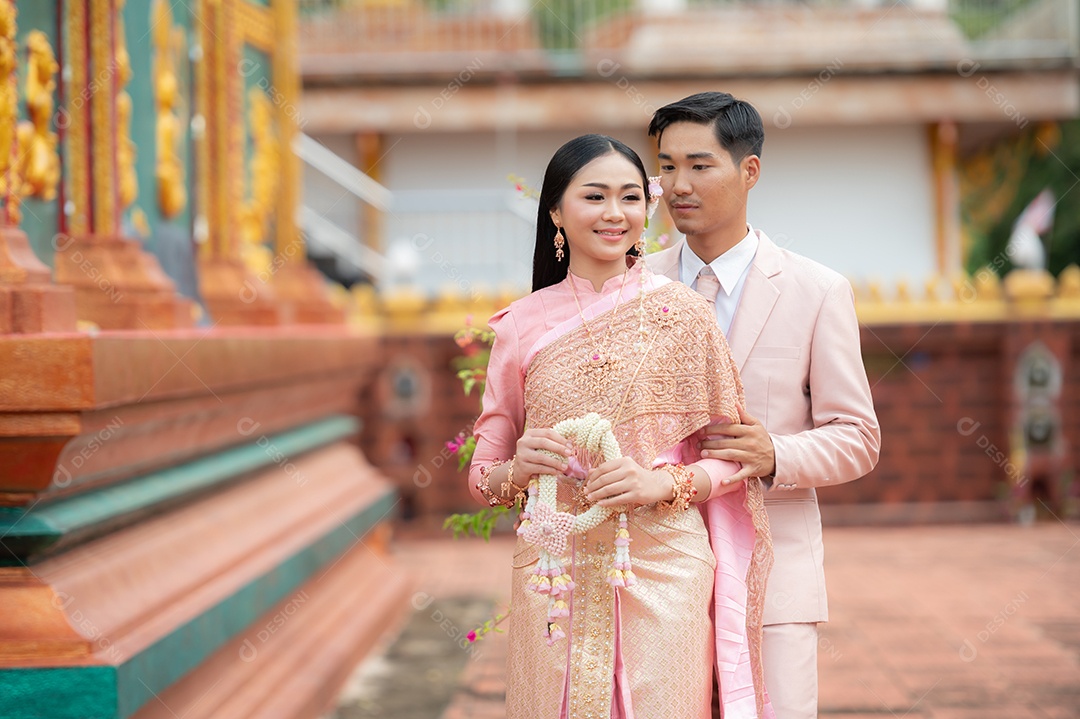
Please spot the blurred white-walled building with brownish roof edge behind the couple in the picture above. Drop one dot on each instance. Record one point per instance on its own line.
(868, 108)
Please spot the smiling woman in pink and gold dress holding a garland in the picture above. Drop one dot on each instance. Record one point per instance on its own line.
(600, 334)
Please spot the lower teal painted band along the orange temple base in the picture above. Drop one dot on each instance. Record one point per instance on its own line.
(119, 693)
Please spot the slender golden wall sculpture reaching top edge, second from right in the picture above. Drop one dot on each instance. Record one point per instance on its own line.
(169, 43)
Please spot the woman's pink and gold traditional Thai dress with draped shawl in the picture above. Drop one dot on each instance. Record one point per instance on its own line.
(649, 650)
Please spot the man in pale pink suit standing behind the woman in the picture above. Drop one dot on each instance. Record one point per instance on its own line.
(793, 332)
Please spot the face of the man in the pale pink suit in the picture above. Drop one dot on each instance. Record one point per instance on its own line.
(705, 191)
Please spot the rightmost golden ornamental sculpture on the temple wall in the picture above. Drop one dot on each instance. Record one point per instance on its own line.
(264, 173)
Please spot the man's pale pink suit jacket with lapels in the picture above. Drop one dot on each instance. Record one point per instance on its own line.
(795, 341)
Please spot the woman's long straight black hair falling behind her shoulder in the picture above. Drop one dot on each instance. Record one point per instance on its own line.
(568, 161)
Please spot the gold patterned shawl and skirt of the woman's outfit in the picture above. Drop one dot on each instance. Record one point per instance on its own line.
(647, 650)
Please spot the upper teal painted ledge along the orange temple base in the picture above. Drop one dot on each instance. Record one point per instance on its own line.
(47, 528)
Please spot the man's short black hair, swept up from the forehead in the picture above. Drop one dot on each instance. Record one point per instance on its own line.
(736, 124)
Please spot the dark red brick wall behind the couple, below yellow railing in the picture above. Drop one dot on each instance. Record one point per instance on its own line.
(943, 395)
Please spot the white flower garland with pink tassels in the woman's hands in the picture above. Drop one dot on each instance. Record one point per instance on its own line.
(545, 526)
